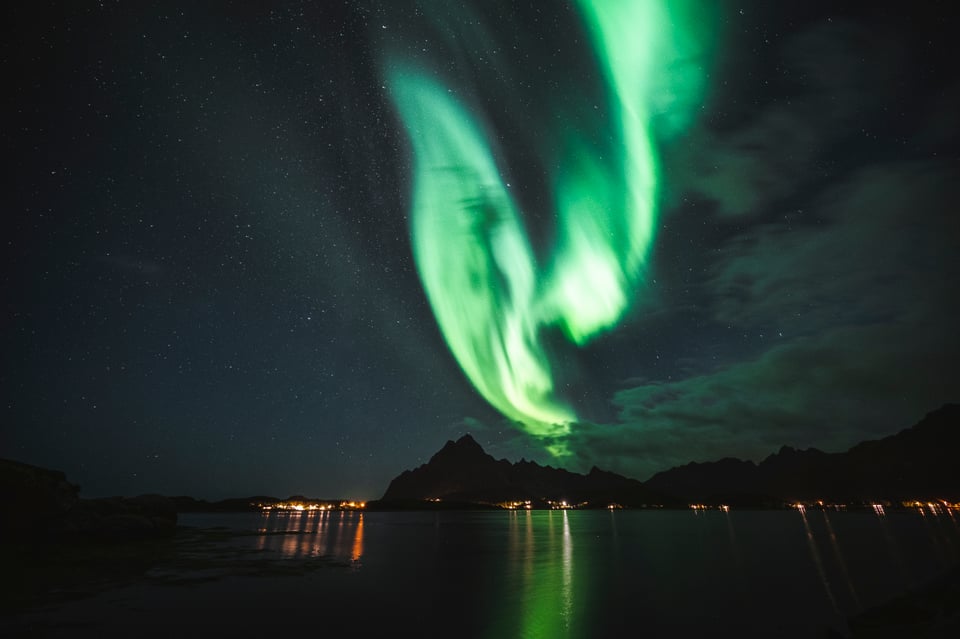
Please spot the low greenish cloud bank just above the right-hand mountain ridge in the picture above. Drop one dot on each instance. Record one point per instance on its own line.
(829, 391)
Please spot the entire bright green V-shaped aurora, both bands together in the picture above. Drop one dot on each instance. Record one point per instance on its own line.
(491, 297)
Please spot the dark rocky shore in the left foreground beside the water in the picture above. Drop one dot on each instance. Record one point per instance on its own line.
(55, 546)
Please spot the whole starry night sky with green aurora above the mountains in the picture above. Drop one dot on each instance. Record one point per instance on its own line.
(214, 282)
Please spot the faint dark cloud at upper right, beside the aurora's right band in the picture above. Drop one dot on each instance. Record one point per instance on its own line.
(833, 79)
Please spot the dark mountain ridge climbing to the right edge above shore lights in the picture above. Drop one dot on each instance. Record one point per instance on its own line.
(920, 462)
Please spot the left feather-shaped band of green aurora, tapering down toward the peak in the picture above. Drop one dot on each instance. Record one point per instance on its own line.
(474, 258)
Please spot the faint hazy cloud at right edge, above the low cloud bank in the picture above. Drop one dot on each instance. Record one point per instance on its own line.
(876, 248)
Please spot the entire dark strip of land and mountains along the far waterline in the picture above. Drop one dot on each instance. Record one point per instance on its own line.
(920, 462)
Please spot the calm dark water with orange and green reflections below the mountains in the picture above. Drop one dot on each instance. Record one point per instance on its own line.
(522, 574)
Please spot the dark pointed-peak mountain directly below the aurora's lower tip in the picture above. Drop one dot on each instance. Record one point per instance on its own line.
(461, 475)
